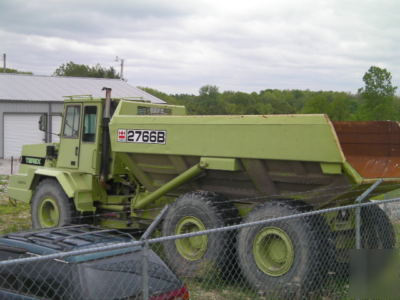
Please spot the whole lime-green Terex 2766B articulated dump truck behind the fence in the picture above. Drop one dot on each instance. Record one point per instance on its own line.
(119, 162)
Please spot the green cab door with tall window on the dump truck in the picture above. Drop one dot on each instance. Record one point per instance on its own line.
(68, 156)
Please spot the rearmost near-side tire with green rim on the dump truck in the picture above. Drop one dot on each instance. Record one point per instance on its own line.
(285, 258)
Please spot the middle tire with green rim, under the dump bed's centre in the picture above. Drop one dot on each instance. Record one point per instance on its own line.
(198, 255)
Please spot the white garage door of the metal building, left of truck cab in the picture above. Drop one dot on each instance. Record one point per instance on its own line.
(20, 129)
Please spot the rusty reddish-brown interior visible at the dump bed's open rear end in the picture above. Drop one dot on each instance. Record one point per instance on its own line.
(371, 148)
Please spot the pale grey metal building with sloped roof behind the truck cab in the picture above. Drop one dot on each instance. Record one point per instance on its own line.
(23, 98)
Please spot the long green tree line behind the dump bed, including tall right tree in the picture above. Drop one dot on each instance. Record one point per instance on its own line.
(376, 101)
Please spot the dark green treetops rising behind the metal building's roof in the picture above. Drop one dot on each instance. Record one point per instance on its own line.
(79, 70)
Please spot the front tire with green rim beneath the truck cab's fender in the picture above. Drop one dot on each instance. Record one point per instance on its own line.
(50, 205)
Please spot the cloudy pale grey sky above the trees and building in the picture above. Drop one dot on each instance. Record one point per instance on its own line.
(177, 46)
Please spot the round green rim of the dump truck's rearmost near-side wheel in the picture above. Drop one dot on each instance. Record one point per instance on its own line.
(273, 251)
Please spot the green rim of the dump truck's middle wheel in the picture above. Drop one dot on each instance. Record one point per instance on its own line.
(192, 248)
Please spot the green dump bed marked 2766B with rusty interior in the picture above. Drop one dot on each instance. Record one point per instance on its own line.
(276, 154)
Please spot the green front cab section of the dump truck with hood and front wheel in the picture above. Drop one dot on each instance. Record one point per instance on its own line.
(75, 164)
